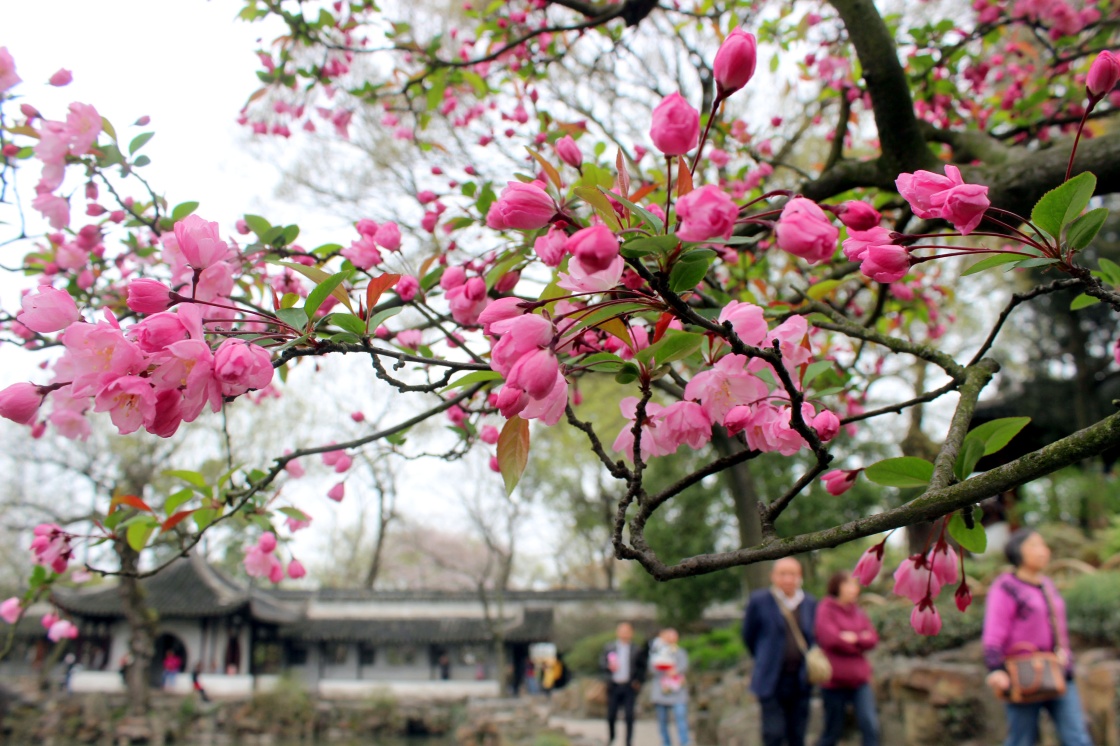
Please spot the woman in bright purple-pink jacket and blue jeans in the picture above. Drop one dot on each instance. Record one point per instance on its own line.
(1025, 613)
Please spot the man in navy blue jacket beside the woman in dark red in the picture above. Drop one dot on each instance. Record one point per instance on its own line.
(781, 680)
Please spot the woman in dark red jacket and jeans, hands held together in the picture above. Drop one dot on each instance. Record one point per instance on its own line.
(846, 635)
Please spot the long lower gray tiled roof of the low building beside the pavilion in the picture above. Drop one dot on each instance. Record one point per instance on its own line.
(535, 626)
